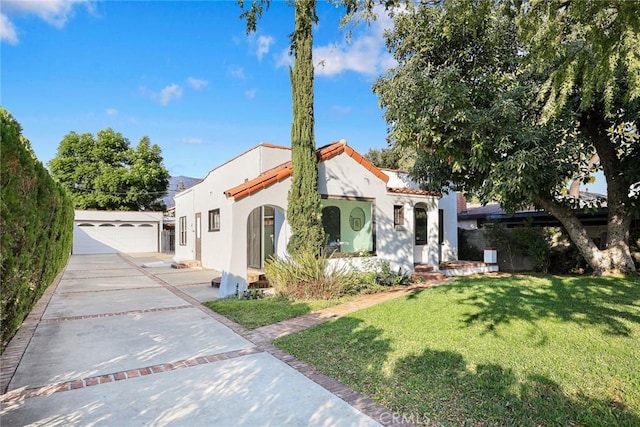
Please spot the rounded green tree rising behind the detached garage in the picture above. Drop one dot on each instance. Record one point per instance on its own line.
(105, 173)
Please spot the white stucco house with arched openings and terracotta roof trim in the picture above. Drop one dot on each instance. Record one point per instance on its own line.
(235, 218)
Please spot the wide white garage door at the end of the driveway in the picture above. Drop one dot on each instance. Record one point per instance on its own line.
(114, 237)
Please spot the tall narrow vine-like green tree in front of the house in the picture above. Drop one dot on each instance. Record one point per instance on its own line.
(303, 210)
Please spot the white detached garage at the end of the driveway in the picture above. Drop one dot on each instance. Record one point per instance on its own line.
(104, 232)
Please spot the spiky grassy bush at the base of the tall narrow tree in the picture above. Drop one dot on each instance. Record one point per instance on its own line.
(307, 276)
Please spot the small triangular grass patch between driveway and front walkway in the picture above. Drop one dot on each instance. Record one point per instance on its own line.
(260, 312)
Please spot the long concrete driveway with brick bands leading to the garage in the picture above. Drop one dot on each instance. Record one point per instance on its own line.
(115, 344)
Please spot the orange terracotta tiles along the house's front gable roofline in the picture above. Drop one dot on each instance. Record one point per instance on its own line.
(285, 170)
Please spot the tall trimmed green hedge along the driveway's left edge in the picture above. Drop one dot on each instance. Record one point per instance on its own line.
(36, 226)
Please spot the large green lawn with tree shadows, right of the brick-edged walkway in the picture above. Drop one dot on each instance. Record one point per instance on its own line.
(492, 351)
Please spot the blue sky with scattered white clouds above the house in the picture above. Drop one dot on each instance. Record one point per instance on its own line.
(183, 73)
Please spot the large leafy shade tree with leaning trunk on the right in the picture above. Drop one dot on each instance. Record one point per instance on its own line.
(512, 101)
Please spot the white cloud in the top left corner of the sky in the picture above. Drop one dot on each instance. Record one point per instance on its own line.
(54, 12)
